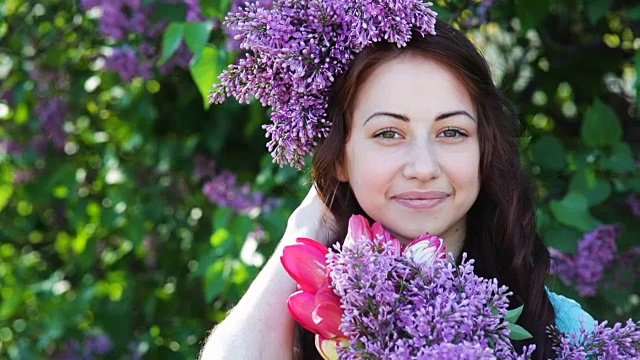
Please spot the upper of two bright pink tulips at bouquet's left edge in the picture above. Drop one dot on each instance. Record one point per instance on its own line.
(306, 265)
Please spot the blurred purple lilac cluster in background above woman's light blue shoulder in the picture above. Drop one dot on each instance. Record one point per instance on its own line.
(596, 252)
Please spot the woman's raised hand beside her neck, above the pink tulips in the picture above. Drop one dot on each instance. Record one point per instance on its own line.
(311, 219)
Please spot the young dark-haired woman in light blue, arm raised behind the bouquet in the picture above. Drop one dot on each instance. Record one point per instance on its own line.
(421, 141)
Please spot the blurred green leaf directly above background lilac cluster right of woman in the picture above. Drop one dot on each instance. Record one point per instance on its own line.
(573, 210)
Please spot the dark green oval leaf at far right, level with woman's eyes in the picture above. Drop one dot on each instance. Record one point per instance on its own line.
(601, 126)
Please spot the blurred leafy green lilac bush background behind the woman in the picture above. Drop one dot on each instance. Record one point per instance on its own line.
(121, 219)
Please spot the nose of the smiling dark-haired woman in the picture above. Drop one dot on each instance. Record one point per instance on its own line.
(421, 162)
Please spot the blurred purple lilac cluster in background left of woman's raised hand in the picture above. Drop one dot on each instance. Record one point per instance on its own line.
(222, 189)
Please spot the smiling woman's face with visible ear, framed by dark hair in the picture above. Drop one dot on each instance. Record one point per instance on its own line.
(413, 154)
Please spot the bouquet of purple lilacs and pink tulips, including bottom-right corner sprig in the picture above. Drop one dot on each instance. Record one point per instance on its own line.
(372, 299)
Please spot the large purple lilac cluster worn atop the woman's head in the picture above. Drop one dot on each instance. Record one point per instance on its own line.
(297, 49)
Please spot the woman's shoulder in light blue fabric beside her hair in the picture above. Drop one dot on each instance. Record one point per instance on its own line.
(570, 317)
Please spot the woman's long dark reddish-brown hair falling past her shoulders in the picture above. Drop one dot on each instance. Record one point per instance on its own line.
(501, 232)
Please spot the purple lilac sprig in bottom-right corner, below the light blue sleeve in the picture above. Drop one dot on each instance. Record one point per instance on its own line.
(617, 342)
